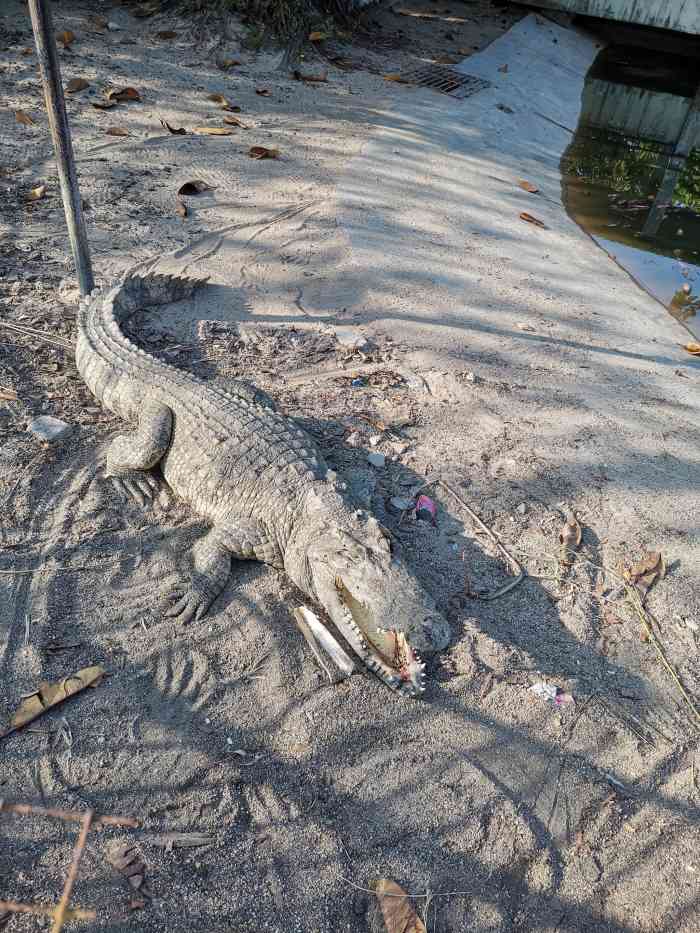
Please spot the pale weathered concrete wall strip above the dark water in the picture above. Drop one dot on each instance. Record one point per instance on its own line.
(681, 15)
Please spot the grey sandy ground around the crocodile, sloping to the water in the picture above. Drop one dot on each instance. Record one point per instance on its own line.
(553, 382)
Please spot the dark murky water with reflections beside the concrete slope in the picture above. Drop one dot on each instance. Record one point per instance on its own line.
(631, 175)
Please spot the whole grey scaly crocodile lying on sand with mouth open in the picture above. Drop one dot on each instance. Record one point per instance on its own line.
(260, 483)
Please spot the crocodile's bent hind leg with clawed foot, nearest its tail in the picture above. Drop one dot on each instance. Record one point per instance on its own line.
(131, 456)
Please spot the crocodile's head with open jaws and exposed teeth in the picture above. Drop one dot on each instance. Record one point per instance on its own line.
(375, 603)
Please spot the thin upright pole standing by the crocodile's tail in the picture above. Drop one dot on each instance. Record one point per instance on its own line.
(60, 132)
